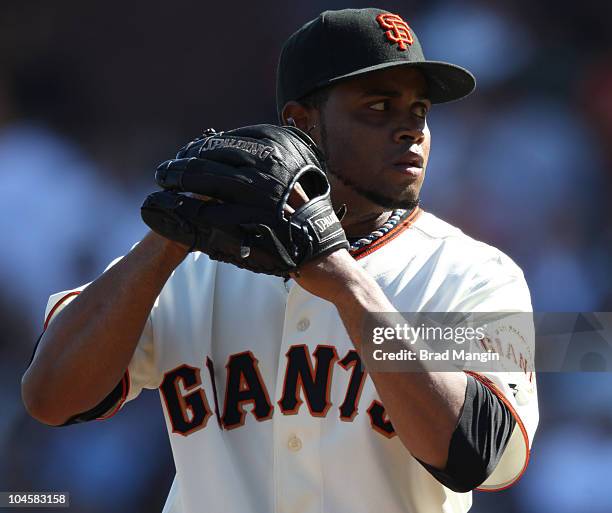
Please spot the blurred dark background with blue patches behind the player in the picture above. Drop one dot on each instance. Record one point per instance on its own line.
(94, 94)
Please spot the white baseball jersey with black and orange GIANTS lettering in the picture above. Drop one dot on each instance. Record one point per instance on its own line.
(266, 405)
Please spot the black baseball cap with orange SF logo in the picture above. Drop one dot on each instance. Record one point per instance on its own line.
(342, 44)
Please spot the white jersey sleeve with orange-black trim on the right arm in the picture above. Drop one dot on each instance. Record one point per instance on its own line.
(497, 287)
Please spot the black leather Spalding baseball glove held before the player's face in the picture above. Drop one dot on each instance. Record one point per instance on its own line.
(247, 175)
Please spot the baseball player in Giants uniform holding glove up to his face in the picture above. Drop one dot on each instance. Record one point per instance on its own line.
(261, 375)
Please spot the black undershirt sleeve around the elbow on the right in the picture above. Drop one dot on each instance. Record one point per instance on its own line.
(478, 442)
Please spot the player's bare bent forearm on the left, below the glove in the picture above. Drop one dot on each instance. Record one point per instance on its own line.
(86, 349)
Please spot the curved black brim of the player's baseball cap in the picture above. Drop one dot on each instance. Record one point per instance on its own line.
(446, 82)
